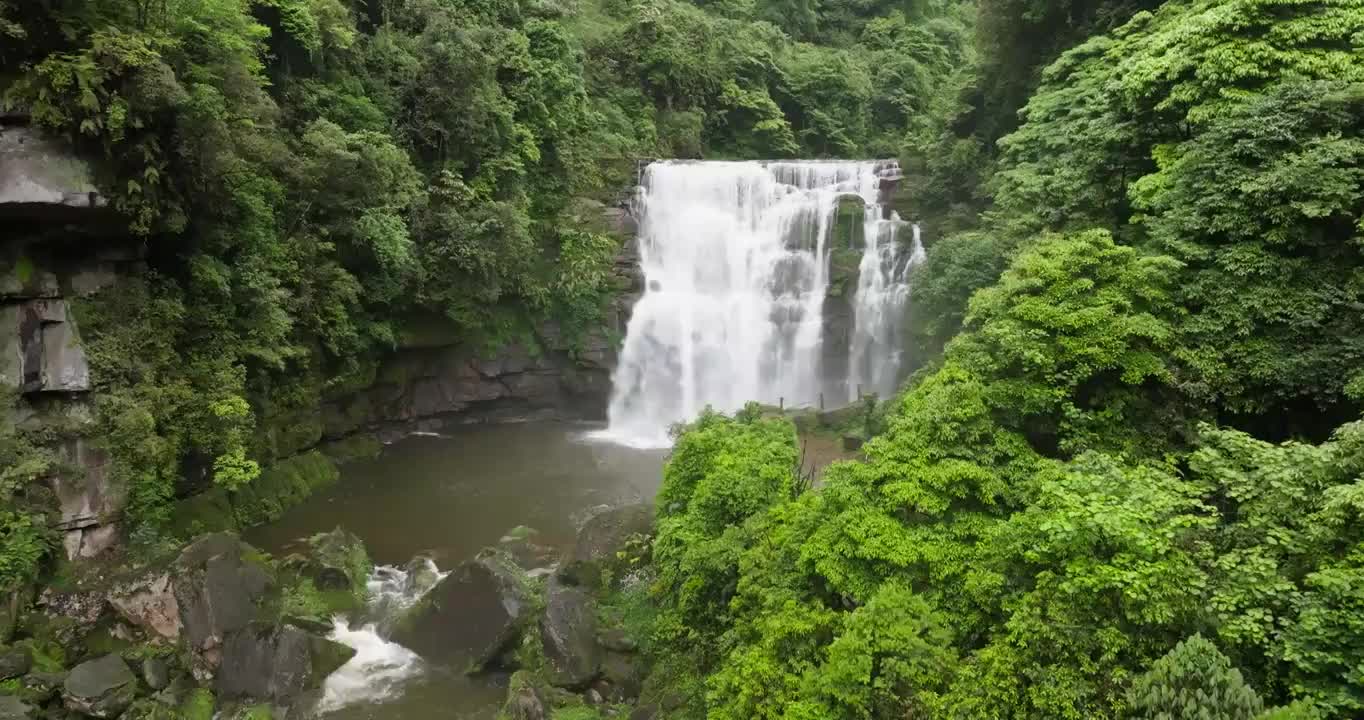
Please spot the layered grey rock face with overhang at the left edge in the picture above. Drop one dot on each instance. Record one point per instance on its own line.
(61, 245)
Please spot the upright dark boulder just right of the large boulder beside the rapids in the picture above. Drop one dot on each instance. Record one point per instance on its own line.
(568, 635)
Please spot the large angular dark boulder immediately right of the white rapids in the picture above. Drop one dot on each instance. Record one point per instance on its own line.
(473, 616)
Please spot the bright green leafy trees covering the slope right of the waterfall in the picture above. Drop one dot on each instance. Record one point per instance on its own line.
(1125, 483)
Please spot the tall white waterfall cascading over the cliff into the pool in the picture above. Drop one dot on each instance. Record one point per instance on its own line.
(736, 260)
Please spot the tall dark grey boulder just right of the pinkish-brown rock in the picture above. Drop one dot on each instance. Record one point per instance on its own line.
(218, 586)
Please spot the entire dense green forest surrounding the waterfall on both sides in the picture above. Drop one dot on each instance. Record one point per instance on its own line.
(1126, 481)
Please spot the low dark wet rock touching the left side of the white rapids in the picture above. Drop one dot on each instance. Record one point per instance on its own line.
(276, 662)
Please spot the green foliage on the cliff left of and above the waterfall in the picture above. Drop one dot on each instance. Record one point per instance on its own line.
(306, 175)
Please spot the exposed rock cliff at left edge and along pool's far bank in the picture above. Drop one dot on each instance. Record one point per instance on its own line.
(65, 246)
